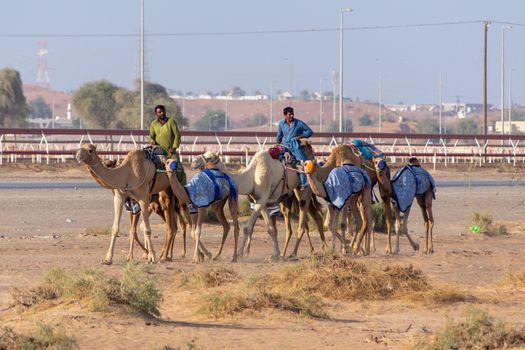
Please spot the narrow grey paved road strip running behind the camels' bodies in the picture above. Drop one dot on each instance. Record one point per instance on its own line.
(91, 184)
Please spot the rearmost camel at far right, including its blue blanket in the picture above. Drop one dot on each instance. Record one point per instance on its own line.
(424, 197)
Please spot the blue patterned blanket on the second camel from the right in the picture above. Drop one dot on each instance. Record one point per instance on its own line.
(344, 181)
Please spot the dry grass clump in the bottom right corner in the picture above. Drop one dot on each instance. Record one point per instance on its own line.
(478, 331)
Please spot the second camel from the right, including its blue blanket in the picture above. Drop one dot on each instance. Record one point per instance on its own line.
(359, 201)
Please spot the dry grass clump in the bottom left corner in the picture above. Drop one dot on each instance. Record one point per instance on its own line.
(45, 337)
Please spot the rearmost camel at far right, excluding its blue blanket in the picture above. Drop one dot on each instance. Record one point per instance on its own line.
(424, 201)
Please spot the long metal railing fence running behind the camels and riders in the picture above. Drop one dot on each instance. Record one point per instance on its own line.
(37, 145)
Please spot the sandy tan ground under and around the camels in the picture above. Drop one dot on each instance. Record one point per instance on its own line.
(43, 229)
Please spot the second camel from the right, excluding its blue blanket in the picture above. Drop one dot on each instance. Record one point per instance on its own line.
(360, 203)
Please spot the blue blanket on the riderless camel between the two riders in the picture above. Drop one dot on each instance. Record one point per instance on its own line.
(208, 186)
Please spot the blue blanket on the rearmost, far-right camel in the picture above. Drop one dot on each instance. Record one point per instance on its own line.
(408, 182)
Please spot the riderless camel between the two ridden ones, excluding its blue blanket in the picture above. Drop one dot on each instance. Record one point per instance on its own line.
(198, 218)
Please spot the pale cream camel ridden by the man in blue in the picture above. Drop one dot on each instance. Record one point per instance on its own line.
(266, 180)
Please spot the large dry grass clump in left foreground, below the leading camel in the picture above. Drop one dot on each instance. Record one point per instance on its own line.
(135, 288)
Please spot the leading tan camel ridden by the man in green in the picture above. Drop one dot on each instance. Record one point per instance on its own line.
(135, 177)
